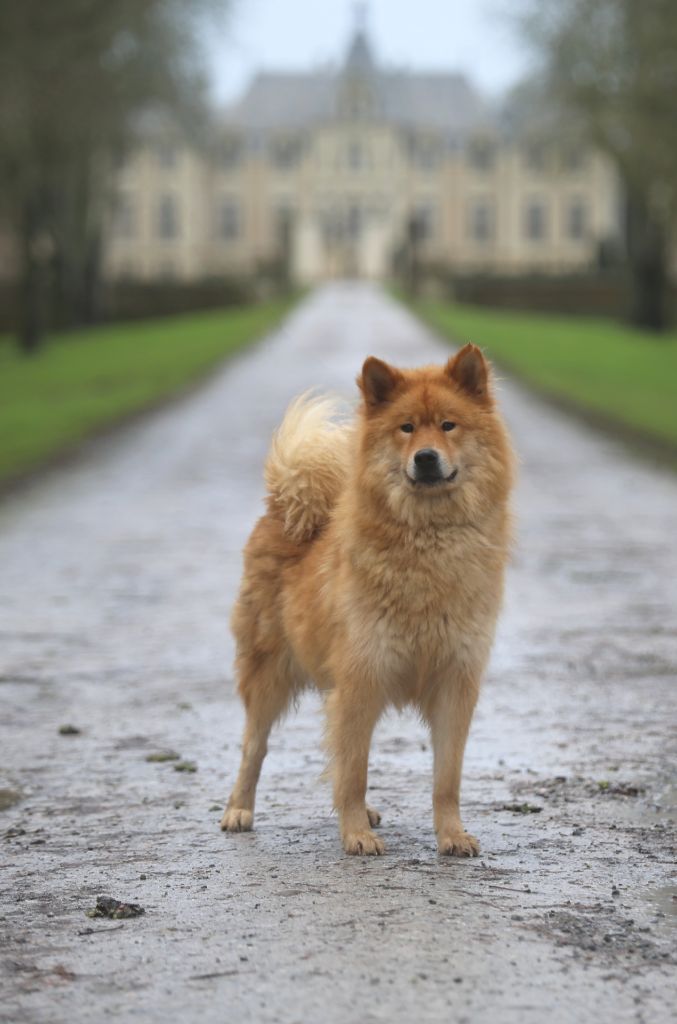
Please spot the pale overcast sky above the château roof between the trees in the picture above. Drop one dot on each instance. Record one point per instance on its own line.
(476, 37)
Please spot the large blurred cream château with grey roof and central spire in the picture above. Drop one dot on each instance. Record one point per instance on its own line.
(332, 172)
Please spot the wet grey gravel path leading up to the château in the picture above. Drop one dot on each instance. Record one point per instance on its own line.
(116, 580)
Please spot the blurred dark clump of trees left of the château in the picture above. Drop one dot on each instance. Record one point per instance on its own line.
(75, 77)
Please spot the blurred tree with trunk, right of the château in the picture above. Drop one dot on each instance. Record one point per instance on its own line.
(613, 65)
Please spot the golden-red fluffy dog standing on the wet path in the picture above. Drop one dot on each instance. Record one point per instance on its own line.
(377, 575)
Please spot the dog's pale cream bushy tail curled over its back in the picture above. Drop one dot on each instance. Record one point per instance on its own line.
(308, 465)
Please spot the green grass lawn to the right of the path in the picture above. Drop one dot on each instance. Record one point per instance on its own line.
(625, 376)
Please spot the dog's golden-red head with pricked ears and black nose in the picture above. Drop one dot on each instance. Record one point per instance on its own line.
(433, 440)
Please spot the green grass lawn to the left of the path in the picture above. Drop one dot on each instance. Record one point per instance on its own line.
(87, 380)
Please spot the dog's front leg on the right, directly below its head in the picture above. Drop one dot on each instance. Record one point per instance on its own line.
(450, 717)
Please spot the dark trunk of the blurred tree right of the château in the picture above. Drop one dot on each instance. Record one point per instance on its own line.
(648, 252)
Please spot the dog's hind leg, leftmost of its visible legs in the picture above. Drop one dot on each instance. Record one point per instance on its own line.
(267, 691)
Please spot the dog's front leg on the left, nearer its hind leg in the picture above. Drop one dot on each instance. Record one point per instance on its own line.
(353, 713)
